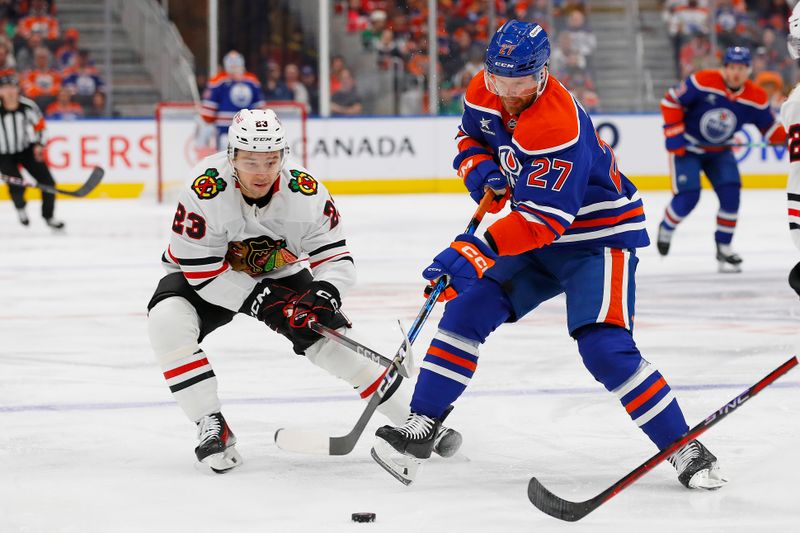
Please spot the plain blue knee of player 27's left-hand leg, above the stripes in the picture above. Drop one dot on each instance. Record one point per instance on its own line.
(478, 311)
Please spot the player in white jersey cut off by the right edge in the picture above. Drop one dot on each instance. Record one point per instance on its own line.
(790, 117)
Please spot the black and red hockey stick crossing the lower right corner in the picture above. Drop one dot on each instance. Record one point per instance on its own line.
(557, 507)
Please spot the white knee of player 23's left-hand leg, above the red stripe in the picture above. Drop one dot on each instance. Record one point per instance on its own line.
(174, 327)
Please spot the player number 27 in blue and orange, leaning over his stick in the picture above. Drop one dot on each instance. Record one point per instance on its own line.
(574, 225)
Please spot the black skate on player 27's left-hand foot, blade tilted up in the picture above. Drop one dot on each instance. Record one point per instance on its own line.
(402, 450)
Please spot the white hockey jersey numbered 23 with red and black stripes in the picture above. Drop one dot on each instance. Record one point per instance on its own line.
(224, 245)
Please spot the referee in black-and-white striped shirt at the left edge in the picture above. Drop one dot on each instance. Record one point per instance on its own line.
(22, 144)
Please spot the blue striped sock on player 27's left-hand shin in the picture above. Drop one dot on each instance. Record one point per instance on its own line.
(445, 372)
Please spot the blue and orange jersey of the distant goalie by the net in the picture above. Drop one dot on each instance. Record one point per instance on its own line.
(224, 96)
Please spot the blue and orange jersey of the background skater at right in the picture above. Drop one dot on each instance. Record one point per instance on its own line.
(707, 112)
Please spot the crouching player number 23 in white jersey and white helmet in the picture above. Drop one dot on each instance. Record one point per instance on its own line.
(255, 233)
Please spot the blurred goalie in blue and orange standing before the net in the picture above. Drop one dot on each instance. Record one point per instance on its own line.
(229, 91)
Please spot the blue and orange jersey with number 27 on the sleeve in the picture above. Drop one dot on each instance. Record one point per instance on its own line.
(567, 189)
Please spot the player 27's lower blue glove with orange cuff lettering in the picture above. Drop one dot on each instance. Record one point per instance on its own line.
(464, 262)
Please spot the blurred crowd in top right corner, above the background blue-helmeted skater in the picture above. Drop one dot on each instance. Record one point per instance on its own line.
(760, 25)
